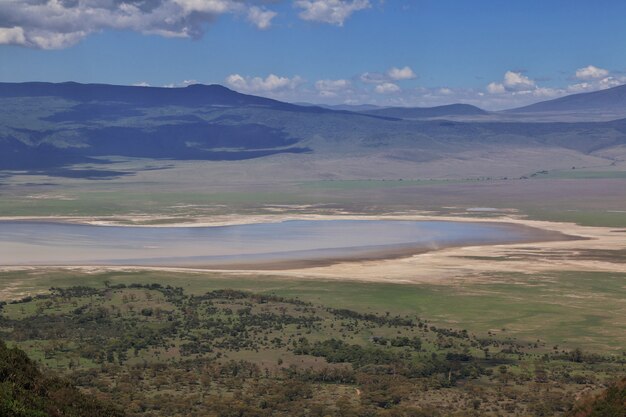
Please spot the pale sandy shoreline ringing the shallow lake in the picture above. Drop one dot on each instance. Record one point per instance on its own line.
(444, 265)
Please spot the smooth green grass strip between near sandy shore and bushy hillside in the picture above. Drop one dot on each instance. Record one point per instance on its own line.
(574, 309)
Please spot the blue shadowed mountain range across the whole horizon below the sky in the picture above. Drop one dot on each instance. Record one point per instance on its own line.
(49, 128)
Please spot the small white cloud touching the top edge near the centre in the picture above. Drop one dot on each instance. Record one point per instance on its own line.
(334, 12)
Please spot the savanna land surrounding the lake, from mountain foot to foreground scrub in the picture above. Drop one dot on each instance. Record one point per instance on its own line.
(534, 328)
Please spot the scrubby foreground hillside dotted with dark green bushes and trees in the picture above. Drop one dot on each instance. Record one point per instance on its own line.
(161, 351)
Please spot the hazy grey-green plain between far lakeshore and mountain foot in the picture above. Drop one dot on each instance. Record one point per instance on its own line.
(188, 191)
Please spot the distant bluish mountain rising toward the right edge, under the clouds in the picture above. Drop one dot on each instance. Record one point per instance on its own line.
(609, 100)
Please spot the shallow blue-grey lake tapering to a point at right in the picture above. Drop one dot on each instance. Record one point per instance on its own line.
(246, 246)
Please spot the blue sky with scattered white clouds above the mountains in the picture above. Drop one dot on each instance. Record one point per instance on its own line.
(492, 53)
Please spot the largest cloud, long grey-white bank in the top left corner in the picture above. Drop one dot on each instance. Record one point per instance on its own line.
(53, 24)
